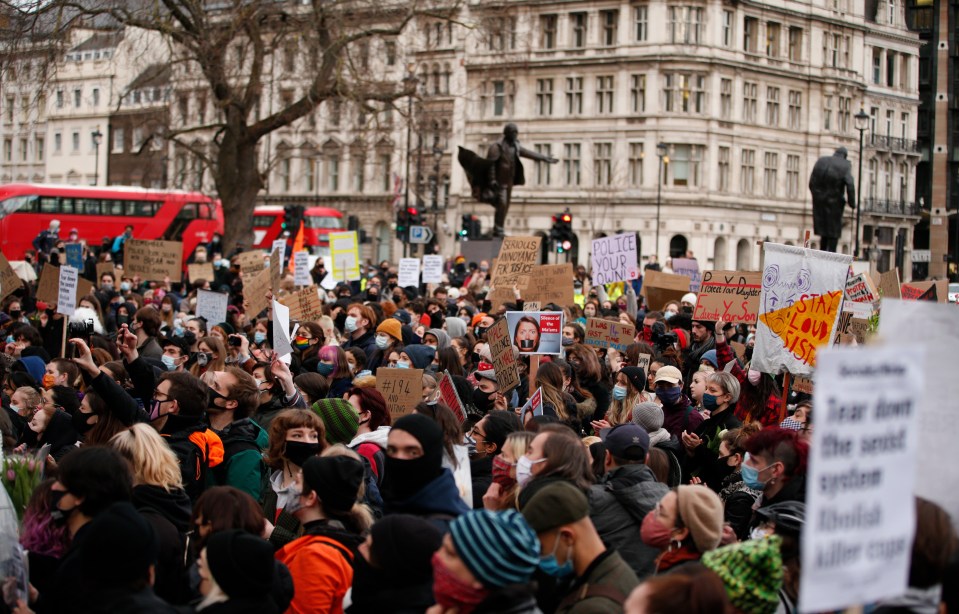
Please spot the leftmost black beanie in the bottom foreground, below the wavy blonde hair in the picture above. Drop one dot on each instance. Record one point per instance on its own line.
(125, 547)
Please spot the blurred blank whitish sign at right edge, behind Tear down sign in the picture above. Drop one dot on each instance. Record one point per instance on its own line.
(936, 327)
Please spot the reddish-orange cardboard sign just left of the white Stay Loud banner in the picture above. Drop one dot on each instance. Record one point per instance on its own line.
(730, 296)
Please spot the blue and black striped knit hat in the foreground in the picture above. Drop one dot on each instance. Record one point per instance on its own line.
(499, 548)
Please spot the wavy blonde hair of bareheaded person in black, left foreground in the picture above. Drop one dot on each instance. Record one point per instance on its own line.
(153, 462)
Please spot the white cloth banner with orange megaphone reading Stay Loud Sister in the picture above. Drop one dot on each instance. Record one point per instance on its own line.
(801, 295)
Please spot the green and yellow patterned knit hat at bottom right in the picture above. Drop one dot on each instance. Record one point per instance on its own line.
(752, 572)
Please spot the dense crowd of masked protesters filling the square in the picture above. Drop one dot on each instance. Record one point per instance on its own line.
(190, 469)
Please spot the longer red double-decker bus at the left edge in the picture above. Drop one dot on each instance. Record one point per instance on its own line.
(26, 209)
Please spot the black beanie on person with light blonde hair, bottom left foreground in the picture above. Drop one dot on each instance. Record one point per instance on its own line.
(241, 563)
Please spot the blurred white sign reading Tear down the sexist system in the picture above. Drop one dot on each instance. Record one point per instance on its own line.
(860, 515)
